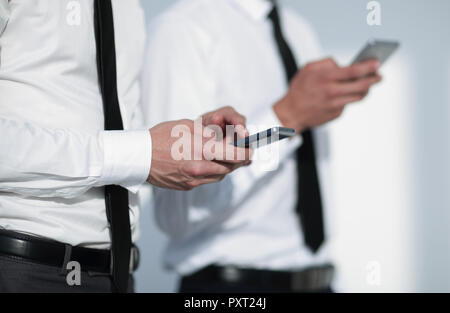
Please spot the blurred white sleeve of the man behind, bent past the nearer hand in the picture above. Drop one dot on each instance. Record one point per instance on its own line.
(179, 82)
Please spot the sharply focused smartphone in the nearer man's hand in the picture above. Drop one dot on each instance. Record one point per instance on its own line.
(264, 138)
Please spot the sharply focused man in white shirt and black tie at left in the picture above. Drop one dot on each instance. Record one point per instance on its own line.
(72, 137)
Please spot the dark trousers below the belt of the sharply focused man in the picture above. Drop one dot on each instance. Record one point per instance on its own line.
(23, 276)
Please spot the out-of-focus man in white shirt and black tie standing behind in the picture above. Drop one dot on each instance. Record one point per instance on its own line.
(244, 233)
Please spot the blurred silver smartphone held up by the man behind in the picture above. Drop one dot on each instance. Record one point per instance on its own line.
(380, 50)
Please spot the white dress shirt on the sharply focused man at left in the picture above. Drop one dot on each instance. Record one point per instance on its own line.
(54, 155)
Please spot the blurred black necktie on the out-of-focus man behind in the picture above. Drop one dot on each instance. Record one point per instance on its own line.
(309, 206)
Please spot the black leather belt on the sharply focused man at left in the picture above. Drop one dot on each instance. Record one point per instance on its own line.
(57, 254)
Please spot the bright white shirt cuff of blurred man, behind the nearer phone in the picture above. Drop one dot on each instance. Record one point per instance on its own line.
(268, 158)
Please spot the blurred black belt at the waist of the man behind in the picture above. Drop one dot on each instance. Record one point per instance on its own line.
(312, 279)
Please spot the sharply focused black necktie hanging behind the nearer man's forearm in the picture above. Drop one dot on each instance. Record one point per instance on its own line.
(116, 197)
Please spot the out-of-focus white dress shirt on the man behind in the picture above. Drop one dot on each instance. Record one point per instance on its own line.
(205, 54)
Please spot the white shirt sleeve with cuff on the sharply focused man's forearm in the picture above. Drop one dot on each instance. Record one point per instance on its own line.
(42, 162)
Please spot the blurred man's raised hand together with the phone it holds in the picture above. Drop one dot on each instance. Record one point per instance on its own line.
(313, 101)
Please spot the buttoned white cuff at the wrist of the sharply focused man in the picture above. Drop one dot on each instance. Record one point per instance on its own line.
(127, 158)
